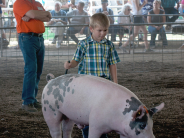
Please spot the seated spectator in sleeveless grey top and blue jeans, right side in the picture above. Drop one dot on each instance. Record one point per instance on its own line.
(156, 29)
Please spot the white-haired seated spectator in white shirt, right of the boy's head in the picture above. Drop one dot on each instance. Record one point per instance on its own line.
(124, 20)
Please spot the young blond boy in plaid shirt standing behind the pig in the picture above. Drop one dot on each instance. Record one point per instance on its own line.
(96, 55)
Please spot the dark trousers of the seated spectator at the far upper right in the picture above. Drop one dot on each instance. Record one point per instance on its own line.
(171, 11)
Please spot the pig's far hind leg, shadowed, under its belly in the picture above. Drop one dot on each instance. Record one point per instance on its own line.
(67, 127)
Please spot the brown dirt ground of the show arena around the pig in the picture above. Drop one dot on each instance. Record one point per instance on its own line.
(152, 81)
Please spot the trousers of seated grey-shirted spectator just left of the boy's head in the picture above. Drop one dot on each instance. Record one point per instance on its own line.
(72, 31)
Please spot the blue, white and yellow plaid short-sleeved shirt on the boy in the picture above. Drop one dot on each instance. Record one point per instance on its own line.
(95, 57)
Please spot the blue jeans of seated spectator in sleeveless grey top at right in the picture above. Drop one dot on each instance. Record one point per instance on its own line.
(154, 33)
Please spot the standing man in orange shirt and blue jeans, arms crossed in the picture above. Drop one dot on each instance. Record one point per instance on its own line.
(30, 16)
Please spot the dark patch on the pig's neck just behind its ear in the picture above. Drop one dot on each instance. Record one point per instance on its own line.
(134, 105)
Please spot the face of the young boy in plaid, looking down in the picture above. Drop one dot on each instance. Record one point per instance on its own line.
(98, 32)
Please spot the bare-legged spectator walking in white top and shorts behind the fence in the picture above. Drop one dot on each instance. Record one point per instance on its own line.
(136, 7)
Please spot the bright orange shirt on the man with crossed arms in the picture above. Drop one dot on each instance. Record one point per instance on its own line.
(20, 8)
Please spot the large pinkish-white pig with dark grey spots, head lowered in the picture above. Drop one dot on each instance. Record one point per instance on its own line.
(103, 105)
